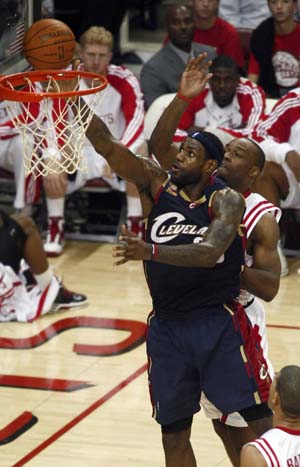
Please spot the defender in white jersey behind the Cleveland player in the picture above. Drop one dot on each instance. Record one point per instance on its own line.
(243, 161)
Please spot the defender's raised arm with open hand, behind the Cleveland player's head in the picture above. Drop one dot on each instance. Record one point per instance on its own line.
(193, 81)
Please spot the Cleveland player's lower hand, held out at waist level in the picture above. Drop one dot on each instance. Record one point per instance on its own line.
(131, 248)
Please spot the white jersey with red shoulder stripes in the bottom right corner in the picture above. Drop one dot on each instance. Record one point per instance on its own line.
(280, 447)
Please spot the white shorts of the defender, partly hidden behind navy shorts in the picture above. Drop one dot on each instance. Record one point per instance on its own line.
(256, 314)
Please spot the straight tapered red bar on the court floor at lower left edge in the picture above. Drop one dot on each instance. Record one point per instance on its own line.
(49, 384)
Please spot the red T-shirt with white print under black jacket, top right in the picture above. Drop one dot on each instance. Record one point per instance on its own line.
(285, 60)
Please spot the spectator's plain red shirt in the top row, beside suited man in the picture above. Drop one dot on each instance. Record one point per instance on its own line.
(224, 37)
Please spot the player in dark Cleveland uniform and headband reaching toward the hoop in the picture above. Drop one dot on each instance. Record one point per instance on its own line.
(192, 259)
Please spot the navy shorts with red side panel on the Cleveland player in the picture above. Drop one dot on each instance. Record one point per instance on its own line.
(216, 353)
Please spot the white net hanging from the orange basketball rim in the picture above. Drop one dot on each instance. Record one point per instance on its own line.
(53, 130)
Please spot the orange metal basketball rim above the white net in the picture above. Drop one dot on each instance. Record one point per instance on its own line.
(22, 79)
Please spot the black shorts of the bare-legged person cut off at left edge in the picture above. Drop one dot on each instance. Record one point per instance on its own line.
(12, 241)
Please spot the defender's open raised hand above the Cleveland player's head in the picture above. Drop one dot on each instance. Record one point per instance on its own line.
(195, 76)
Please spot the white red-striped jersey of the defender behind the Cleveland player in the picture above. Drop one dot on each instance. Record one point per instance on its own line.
(256, 207)
